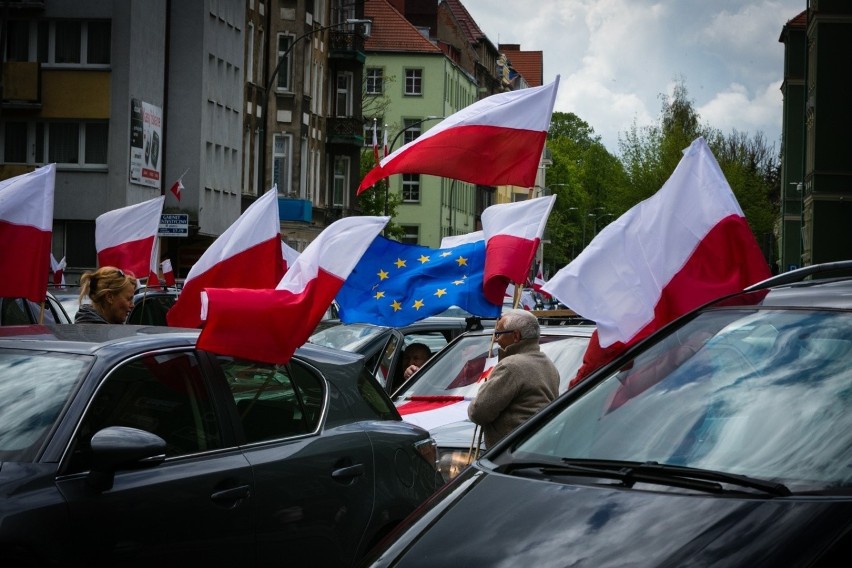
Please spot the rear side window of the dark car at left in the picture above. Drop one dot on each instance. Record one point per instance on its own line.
(274, 401)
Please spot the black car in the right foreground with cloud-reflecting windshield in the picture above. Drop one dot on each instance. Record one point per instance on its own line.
(722, 440)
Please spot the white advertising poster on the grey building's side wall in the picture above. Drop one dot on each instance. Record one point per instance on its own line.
(145, 135)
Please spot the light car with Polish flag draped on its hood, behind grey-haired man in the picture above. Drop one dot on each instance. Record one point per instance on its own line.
(437, 396)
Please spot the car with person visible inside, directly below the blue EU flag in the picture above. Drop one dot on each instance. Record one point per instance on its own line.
(382, 346)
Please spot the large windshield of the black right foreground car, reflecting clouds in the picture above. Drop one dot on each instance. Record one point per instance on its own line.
(762, 393)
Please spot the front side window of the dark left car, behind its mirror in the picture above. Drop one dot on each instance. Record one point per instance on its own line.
(164, 394)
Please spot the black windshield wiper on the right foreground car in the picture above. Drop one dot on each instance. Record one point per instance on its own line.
(629, 473)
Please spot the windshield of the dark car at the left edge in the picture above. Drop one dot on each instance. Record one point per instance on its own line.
(34, 387)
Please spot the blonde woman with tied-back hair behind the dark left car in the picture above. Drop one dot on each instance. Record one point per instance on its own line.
(111, 293)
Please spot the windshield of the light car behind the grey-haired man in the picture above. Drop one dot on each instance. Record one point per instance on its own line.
(460, 368)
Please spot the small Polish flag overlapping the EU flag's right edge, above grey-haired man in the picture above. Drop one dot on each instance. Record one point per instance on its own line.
(512, 232)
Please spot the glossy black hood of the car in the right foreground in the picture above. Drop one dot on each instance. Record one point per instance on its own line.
(501, 520)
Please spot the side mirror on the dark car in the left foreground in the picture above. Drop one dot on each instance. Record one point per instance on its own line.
(121, 447)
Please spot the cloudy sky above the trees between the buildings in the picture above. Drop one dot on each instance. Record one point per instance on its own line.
(616, 57)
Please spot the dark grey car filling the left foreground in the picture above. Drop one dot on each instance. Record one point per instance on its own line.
(122, 444)
